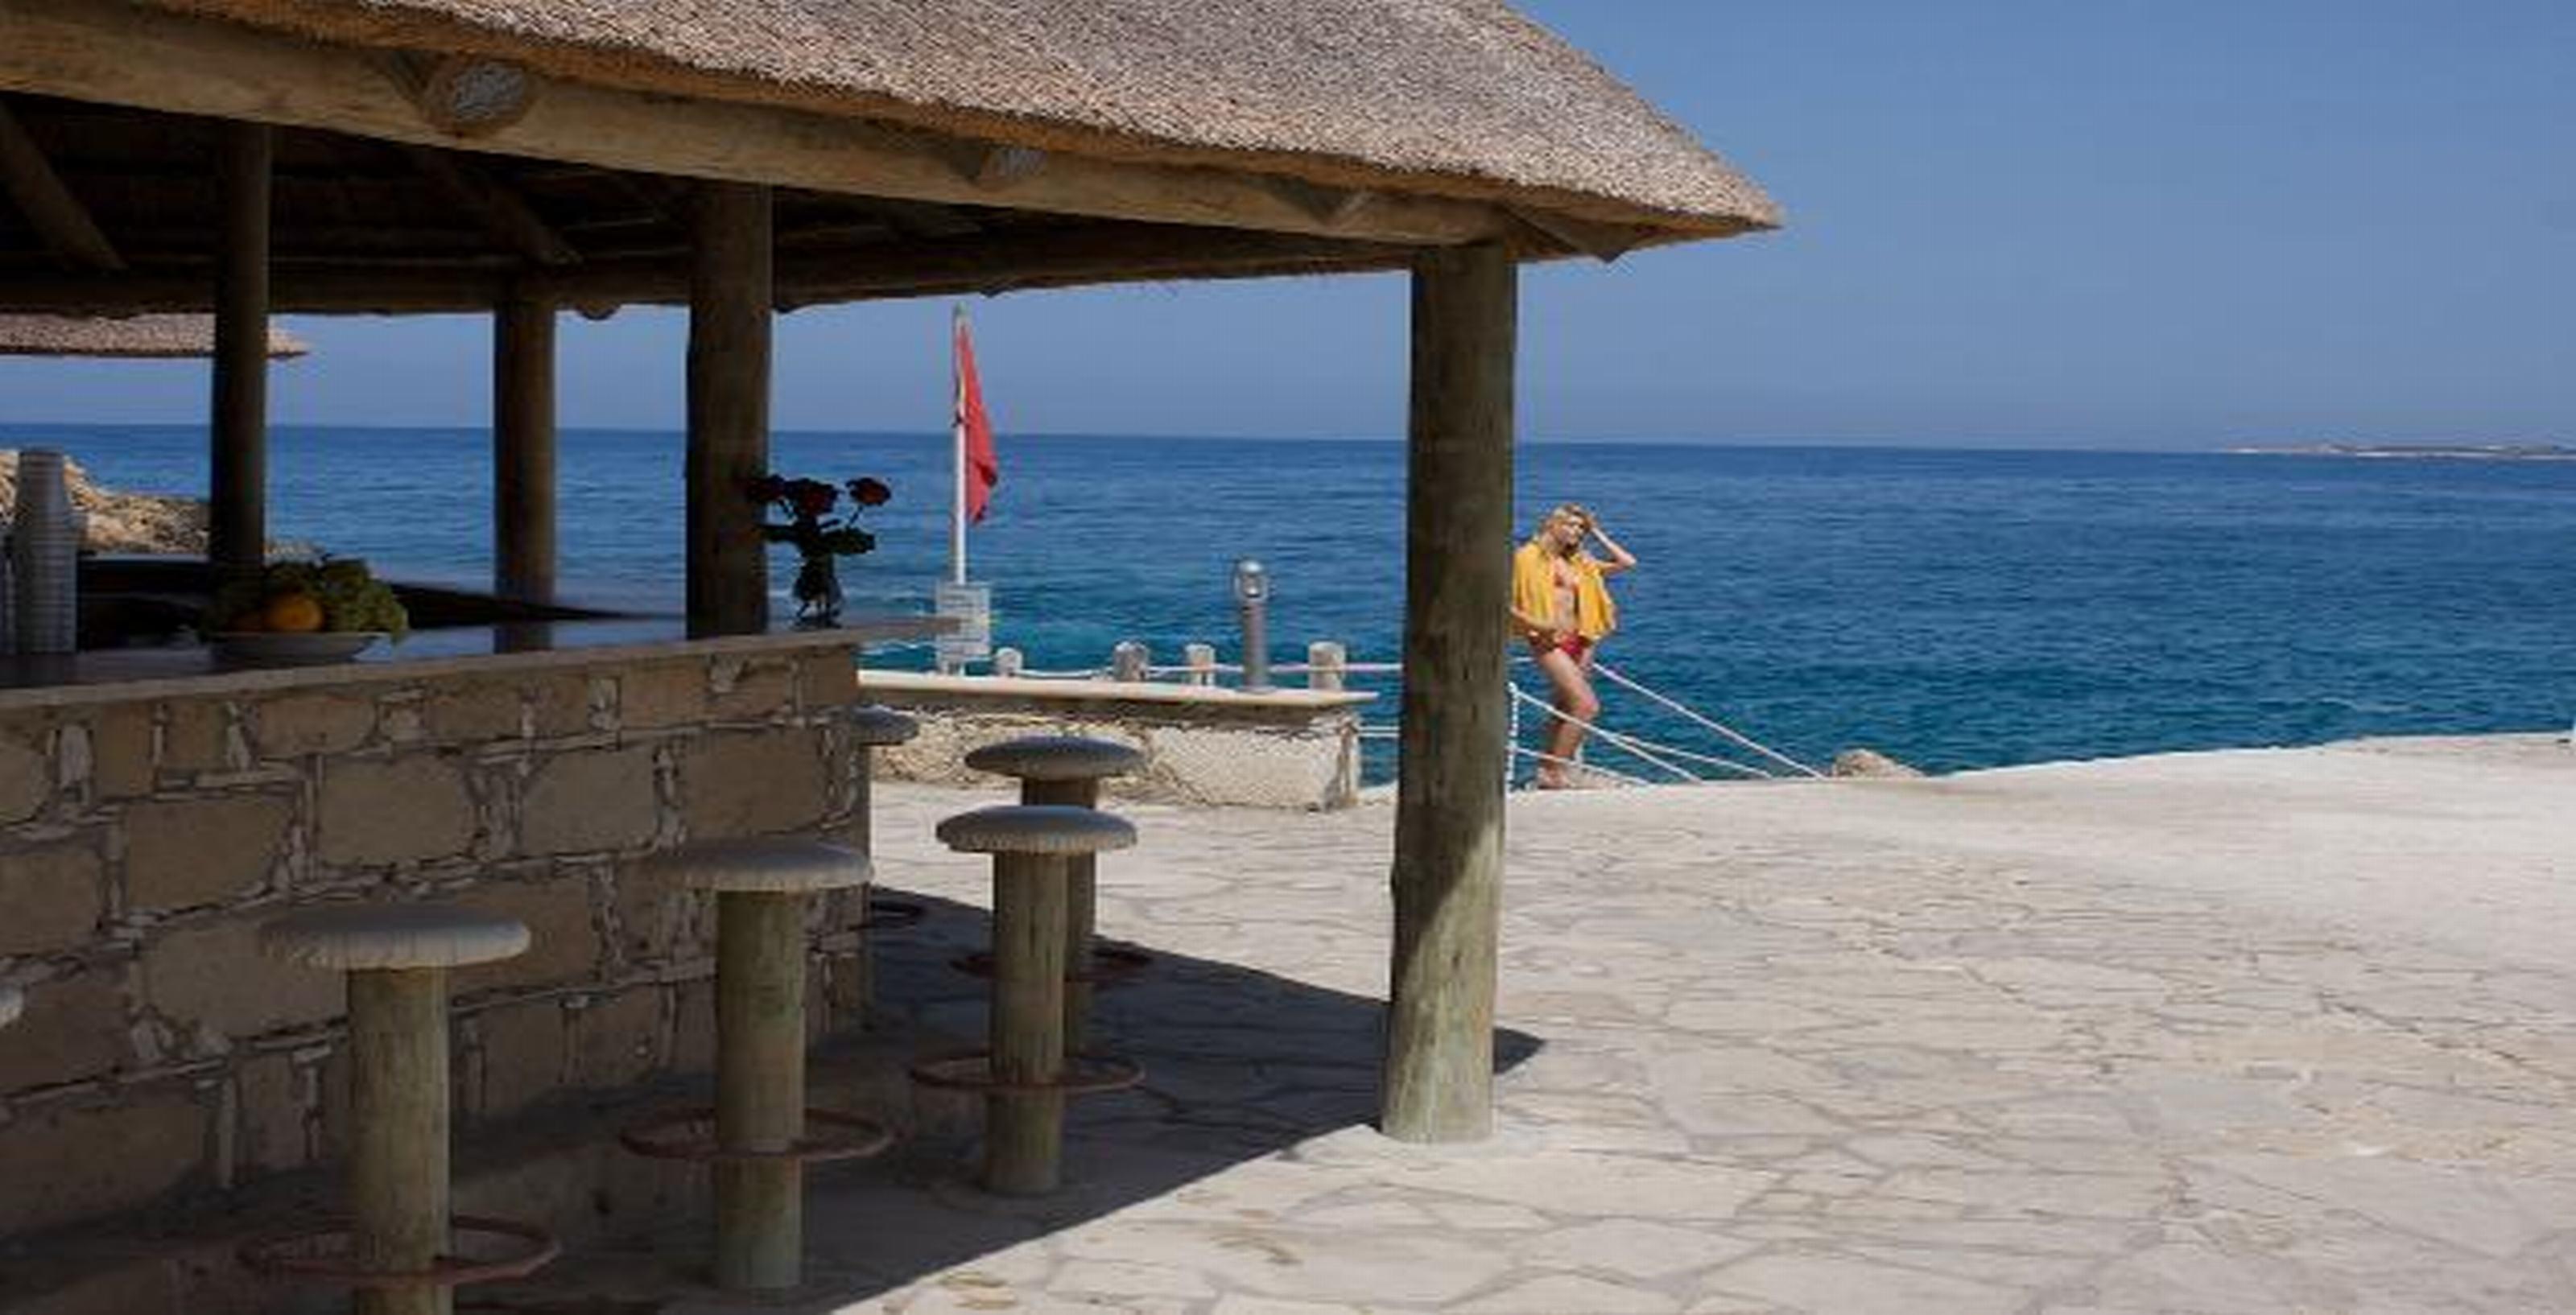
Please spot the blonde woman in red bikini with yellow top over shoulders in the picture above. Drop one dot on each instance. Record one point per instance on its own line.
(1565, 611)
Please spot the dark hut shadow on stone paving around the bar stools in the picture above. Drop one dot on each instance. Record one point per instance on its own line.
(1240, 1067)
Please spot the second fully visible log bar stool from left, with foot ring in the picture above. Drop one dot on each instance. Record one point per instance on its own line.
(759, 1136)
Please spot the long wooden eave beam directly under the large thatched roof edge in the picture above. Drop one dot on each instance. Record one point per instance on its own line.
(189, 66)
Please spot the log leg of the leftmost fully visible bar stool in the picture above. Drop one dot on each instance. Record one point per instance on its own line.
(398, 1157)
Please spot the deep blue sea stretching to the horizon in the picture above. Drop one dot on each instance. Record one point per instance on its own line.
(1954, 609)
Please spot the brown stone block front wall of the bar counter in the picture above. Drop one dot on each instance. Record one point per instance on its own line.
(146, 840)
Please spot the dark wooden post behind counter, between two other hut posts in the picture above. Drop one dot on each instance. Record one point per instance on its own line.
(524, 449)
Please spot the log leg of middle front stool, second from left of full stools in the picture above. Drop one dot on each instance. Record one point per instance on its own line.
(761, 1087)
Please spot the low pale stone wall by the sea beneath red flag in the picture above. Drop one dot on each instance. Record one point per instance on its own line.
(1202, 745)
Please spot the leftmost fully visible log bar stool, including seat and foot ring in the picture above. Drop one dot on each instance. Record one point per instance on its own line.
(401, 1231)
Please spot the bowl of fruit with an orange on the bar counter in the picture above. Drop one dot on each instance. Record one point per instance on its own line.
(300, 614)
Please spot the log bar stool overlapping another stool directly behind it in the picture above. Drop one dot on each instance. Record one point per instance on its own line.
(1027, 1072)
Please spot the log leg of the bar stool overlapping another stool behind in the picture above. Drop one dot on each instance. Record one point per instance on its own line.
(1024, 1131)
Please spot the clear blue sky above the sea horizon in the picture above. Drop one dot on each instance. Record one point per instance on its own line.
(2026, 223)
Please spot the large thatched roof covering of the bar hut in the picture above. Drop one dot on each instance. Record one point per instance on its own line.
(1423, 97)
